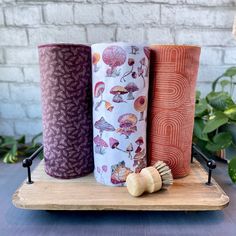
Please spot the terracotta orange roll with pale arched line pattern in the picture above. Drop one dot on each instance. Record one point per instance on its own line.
(171, 113)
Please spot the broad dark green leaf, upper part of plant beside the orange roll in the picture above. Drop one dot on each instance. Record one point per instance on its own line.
(220, 100)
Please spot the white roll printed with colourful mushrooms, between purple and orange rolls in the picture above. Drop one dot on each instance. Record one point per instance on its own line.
(120, 98)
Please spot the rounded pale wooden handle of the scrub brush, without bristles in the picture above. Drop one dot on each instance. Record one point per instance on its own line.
(148, 180)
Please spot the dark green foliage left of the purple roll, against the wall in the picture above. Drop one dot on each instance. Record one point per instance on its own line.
(12, 148)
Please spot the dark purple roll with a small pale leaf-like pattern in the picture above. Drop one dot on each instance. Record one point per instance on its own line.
(65, 71)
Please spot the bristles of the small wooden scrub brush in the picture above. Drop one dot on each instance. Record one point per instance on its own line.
(165, 173)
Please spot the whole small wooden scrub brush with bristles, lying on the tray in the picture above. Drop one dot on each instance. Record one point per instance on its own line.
(150, 179)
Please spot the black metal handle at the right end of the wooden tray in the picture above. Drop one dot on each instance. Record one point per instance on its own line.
(211, 164)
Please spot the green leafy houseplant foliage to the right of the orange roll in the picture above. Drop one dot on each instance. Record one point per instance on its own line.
(212, 114)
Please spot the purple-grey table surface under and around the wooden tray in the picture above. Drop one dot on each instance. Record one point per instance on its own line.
(19, 222)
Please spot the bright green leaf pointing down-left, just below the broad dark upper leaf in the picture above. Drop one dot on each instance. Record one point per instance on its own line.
(218, 120)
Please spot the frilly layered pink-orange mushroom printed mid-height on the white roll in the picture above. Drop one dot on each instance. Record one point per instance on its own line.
(127, 123)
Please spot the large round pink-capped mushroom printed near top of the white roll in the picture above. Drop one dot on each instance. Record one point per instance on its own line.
(113, 56)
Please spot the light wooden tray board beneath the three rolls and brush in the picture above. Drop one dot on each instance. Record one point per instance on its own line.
(187, 194)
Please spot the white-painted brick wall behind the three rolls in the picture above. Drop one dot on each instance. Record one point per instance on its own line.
(26, 23)
